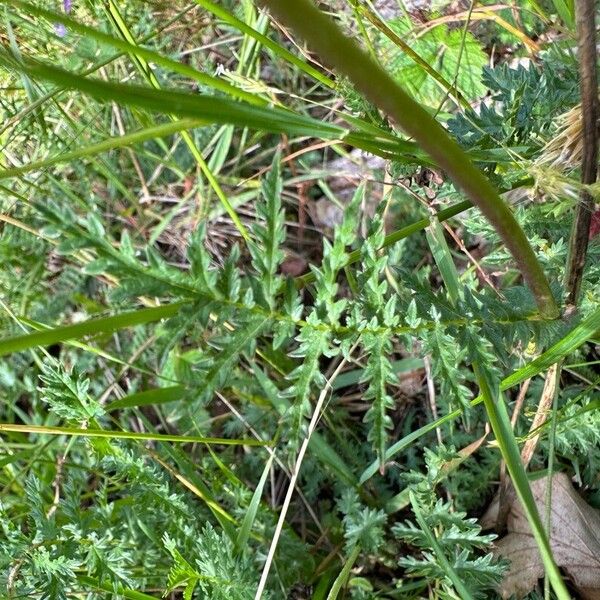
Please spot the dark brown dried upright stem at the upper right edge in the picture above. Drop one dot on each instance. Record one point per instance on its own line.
(586, 33)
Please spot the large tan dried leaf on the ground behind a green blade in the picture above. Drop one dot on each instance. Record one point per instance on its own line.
(575, 541)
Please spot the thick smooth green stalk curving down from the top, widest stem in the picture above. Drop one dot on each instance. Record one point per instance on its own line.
(345, 56)
